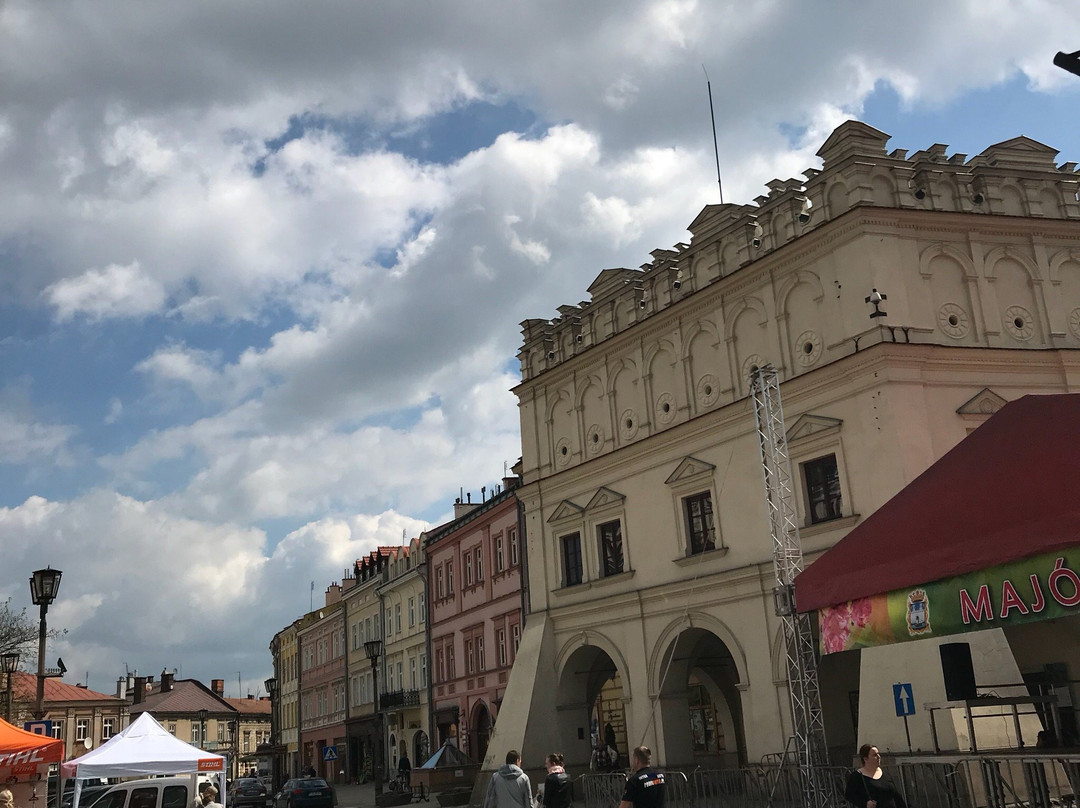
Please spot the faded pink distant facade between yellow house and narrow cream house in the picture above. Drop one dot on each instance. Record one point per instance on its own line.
(322, 688)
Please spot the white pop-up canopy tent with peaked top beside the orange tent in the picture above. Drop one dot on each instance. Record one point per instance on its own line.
(146, 748)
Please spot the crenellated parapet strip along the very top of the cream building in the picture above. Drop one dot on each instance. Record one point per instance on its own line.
(1016, 179)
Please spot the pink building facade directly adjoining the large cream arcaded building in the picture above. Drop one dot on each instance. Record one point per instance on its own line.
(475, 605)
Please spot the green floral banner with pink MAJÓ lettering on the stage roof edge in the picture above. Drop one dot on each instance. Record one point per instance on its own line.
(1039, 588)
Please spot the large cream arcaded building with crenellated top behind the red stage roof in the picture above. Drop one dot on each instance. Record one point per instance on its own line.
(650, 557)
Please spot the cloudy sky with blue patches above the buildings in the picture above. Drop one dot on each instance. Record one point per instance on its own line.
(263, 264)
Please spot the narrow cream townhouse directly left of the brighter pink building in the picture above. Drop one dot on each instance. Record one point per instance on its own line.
(404, 697)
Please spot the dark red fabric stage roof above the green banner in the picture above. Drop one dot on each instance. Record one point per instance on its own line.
(1009, 491)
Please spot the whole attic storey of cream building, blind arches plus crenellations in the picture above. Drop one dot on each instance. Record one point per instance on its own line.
(969, 253)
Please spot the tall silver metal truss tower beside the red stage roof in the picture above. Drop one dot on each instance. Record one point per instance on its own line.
(809, 726)
